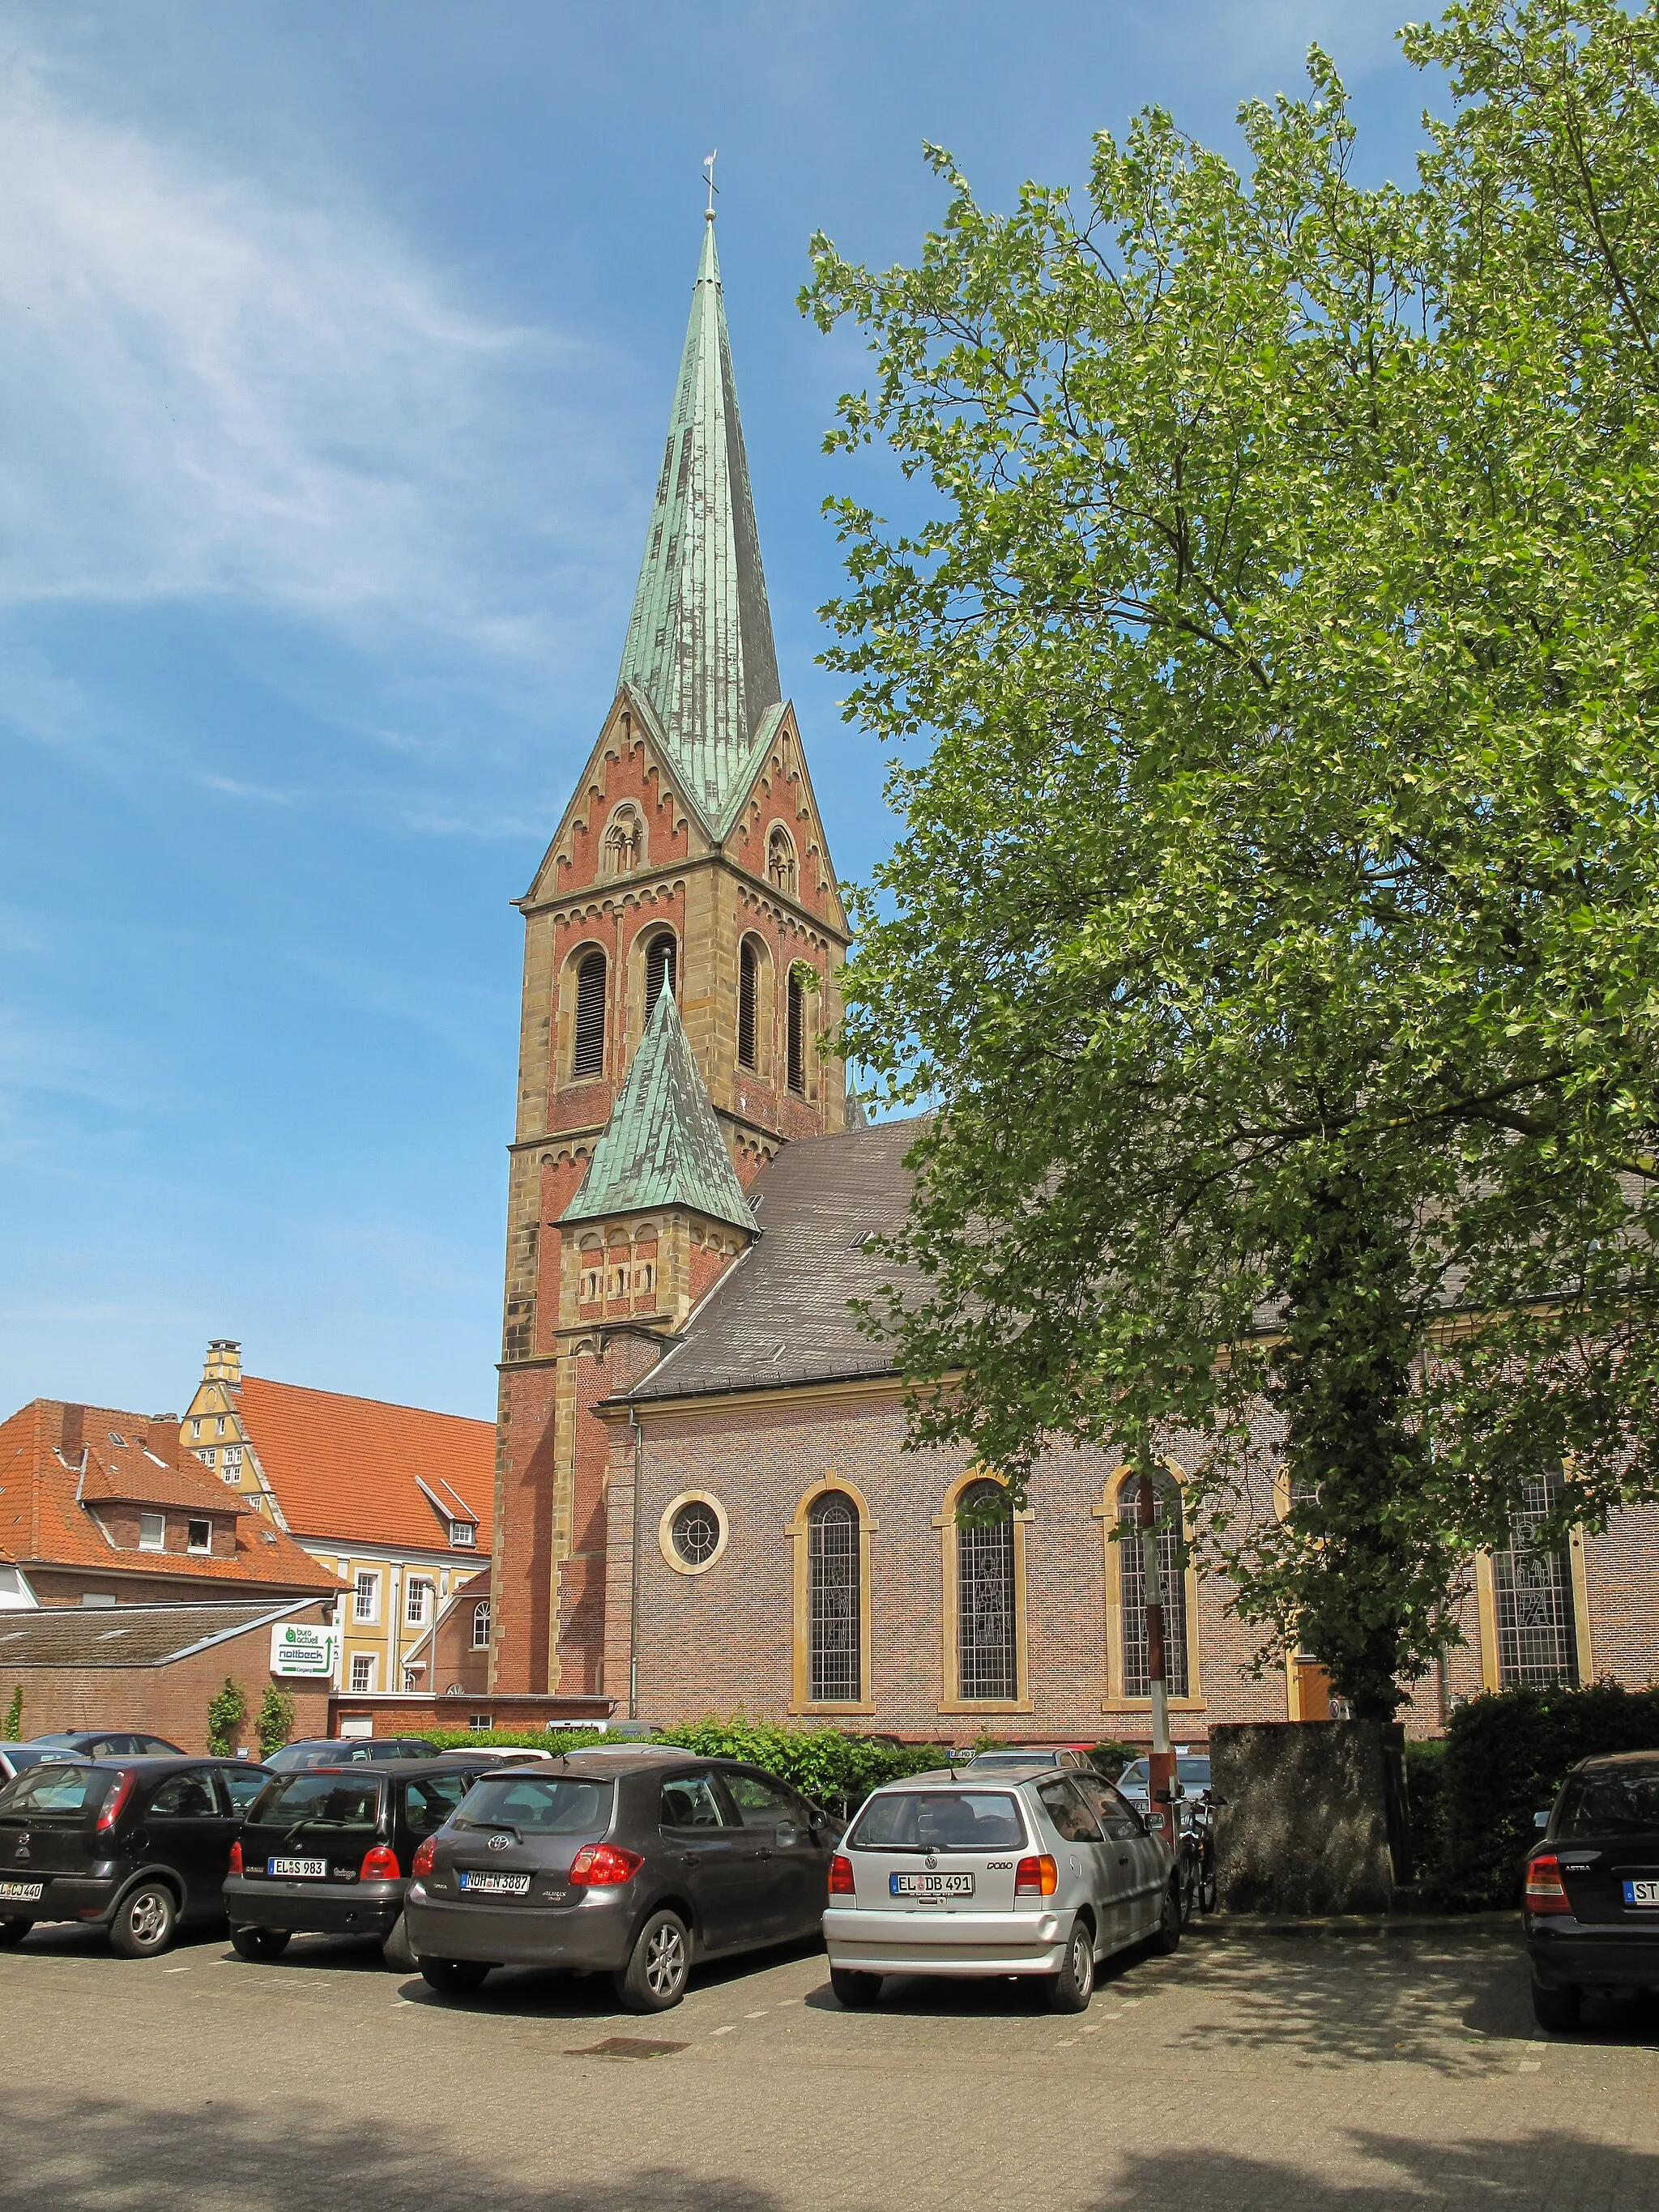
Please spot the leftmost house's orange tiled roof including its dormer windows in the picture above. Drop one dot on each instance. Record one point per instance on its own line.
(101, 1507)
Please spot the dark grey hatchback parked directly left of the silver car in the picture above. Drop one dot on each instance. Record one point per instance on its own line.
(625, 1864)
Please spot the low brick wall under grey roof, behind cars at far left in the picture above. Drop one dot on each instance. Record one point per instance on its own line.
(165, 1700)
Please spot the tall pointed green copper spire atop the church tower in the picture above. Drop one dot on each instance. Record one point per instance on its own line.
(700, 638)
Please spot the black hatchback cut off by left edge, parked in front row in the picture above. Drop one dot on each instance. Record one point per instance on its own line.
(134, 1846)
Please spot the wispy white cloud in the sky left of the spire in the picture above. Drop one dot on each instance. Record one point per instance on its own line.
(213, 390)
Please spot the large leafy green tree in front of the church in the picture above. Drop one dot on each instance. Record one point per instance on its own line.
(1275, 921)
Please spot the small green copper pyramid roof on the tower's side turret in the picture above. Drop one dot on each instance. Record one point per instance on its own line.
(662, 1145)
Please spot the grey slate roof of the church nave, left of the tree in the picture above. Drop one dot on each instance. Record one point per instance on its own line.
(780, 1315)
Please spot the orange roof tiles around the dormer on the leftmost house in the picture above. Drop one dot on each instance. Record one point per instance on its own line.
(59, 1461)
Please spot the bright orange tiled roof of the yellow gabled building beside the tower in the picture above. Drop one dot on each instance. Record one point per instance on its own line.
(366, 1472)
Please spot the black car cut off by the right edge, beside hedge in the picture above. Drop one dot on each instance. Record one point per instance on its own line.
(1592, 1901)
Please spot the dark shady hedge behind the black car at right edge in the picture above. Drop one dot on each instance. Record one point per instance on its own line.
(1505, 1757)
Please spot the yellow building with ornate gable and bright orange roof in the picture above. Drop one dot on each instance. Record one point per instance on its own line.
(393, 1499)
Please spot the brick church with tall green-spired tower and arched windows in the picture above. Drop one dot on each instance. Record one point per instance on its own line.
(702, 1499)
